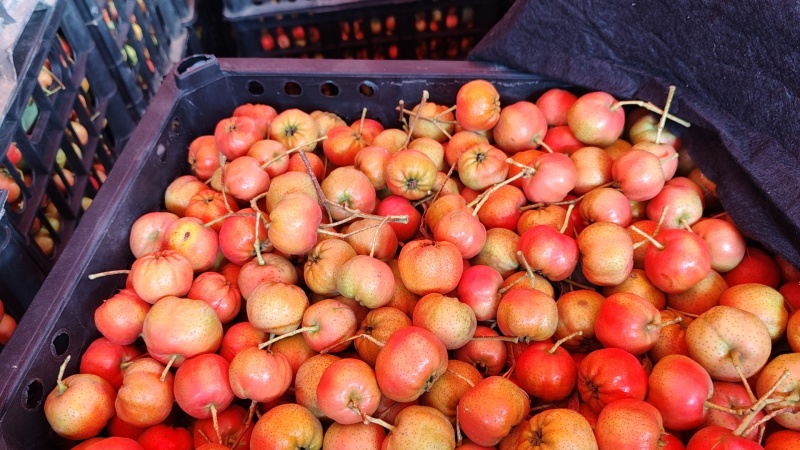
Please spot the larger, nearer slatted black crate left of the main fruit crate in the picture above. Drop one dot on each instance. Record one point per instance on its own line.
(62, 90)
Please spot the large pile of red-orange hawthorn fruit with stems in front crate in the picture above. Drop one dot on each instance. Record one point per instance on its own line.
(542, 275)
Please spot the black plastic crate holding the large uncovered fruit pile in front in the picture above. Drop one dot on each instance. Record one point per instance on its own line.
(202, 91)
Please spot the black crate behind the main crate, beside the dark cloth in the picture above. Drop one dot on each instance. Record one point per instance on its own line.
(371, 29)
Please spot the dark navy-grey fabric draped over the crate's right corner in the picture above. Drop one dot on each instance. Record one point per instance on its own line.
(736, 66)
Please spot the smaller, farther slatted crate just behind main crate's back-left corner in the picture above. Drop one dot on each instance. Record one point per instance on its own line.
(139, 41)
